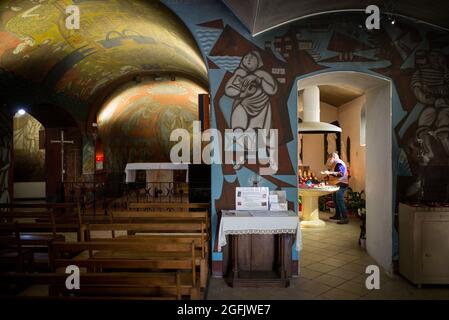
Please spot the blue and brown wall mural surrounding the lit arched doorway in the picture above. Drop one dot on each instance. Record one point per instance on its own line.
(414, 57)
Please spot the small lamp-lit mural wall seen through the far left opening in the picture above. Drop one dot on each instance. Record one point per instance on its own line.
(29, 160)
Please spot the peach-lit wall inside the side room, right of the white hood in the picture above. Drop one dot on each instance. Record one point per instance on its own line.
(349, 120)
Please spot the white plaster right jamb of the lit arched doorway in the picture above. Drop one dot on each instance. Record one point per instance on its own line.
(379, 176)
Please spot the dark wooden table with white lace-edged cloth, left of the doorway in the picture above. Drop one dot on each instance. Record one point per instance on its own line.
(259, 240)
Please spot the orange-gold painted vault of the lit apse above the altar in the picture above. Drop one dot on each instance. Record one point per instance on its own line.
(136, 121)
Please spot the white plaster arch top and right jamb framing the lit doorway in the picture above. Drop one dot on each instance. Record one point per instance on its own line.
(378, 165)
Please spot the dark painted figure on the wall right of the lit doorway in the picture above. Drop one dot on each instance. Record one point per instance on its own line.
(426, 140)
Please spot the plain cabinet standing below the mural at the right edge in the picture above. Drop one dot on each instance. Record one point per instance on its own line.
(424, 244)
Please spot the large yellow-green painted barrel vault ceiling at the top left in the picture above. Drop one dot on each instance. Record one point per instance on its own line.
(116, 37)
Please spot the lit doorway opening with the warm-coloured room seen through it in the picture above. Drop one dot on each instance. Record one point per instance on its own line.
(360, 104)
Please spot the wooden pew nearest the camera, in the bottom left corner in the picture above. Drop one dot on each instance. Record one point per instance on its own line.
(97, 286)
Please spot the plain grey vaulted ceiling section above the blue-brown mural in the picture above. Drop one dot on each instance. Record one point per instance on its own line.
(261, 15)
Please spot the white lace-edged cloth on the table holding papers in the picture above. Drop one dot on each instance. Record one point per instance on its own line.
(259, 222)
